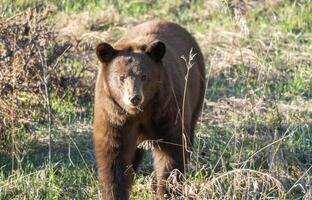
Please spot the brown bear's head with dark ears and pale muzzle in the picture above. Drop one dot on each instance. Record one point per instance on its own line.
(132, 73)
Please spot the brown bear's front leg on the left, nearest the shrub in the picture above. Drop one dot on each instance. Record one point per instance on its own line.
(114, 151)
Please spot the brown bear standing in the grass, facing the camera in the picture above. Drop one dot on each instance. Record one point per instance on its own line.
(145, 91)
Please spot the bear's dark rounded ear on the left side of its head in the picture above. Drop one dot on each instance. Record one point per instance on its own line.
(105, 52)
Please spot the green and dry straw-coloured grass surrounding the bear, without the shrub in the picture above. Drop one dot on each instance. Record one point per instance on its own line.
(254, 138)
